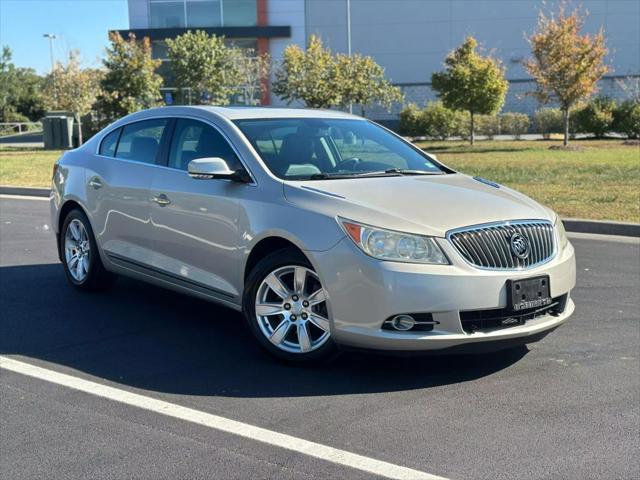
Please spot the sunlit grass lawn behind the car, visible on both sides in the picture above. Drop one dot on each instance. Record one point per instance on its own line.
(600, 181)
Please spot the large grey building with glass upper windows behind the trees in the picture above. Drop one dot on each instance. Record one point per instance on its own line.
(409, 38)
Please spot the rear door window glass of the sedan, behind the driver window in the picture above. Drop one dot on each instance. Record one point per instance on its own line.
(140, 141)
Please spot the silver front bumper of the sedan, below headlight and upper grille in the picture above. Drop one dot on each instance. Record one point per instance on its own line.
(364, 292)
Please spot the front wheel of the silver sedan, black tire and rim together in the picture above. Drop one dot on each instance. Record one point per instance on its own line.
(285, 307)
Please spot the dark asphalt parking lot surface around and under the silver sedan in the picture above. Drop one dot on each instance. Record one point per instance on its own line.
(567, 407)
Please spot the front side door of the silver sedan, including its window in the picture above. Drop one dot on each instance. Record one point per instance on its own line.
(195, 222)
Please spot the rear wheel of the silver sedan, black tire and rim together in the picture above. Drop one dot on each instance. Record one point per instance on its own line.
(80, 257)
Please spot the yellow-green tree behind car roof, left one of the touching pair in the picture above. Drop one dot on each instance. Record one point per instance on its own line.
(308, 75)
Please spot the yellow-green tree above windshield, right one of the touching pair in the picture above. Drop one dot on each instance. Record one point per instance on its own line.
(360, 80)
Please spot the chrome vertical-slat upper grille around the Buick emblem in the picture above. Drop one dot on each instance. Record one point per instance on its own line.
(490, 246)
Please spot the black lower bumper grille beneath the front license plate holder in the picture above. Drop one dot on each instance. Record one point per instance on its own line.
(487, 320)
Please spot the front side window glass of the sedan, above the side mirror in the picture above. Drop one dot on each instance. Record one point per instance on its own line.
(193, 139)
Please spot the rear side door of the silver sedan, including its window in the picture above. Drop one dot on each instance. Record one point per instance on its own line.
(118, 183)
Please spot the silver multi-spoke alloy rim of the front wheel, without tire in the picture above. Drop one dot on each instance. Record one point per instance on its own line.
(291, 309)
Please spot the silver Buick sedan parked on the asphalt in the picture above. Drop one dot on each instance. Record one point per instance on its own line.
(324, 229)
